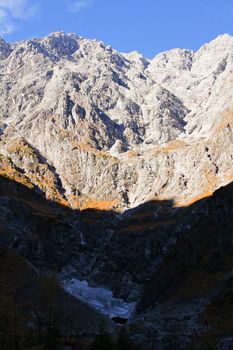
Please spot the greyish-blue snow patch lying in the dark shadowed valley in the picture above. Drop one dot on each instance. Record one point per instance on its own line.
(99, 298)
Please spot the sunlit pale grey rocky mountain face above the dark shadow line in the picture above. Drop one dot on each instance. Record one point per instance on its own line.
(117, 128)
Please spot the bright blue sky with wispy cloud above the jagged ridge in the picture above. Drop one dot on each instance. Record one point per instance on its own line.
(148, 26)
